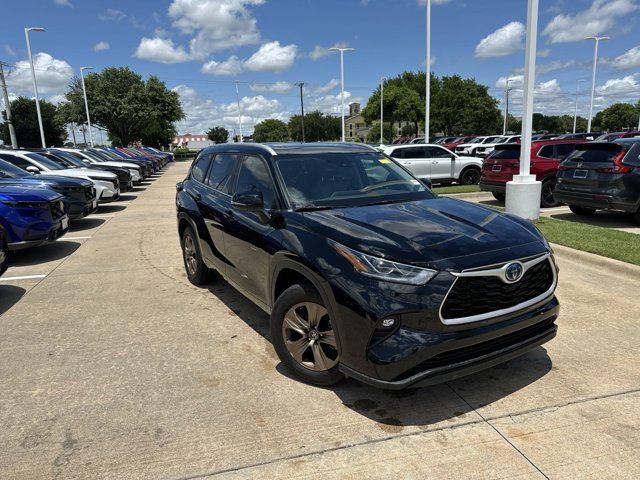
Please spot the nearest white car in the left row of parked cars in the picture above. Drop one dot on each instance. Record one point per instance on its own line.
(106, 183)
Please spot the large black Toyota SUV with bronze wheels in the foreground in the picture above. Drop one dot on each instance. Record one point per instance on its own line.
(364, 271)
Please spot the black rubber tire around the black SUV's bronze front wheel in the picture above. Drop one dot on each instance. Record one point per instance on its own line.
(290, 298)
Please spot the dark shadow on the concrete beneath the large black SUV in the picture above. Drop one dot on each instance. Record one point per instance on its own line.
(393, 410)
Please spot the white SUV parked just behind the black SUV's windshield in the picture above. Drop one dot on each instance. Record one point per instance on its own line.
(436, 163)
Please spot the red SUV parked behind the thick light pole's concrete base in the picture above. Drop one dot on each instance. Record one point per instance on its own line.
(504, 162)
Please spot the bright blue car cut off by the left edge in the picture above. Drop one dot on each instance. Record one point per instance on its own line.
(31, 216)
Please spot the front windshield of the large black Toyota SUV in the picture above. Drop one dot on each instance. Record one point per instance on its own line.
(347, 179)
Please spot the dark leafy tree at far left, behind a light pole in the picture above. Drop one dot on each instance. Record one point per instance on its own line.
(25, 121)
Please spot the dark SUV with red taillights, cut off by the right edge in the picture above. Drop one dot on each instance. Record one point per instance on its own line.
(601, 176)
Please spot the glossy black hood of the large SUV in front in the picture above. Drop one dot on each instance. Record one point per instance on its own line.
(426, 232)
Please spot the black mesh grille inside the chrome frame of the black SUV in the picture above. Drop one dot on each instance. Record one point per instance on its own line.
(471, 296)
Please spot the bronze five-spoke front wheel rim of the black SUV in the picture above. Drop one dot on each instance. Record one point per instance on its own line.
(309, 337)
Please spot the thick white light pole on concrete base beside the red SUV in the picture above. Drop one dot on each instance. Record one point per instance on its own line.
(523, 192)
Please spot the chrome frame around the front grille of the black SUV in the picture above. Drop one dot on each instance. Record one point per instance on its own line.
(499, 272)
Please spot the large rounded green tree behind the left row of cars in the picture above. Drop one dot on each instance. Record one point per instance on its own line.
(127, 106)
